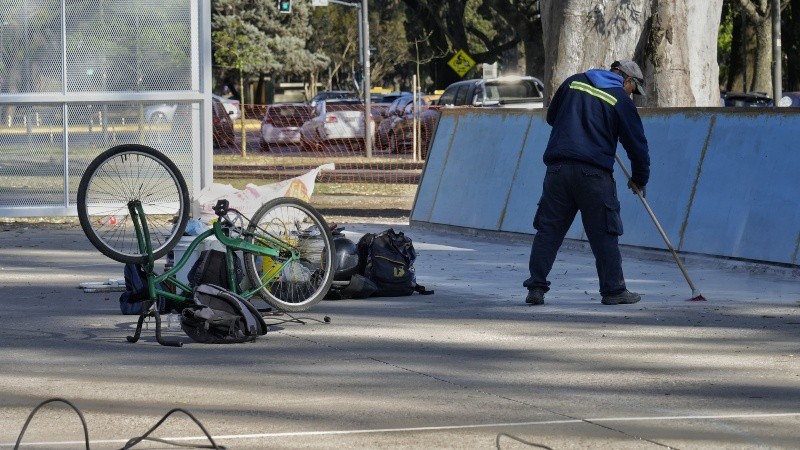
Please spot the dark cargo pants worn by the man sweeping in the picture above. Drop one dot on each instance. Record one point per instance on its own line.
(569, 188)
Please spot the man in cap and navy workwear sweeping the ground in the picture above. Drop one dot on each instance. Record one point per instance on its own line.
(590, 113)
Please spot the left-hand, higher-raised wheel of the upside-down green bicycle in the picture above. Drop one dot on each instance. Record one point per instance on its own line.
(119, 176)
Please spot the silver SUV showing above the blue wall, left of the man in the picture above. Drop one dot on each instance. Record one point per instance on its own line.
(508, 92)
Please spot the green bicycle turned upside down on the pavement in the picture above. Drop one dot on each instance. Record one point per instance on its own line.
(133, 206)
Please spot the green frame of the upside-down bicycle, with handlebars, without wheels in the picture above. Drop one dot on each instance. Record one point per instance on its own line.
(271, 249)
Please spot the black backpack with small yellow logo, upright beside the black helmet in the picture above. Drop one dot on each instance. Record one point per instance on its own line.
(387, 259)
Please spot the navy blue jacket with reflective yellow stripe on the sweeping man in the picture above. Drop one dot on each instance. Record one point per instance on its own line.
(590, 112)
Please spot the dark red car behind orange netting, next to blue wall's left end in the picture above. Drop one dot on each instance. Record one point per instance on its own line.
(401, 135)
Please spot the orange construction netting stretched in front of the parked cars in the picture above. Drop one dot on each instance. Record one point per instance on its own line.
(286, 139)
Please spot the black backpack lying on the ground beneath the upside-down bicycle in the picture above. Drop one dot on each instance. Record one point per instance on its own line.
(219, 316)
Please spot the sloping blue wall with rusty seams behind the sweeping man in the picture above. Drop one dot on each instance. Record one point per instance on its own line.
(723, 180)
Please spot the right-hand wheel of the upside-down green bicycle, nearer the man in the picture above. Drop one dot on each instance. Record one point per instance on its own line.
(303, 271)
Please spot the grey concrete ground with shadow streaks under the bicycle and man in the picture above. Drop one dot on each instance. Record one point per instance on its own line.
(469, 367)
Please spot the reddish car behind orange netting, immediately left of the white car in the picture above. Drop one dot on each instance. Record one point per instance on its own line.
(281, 124)
